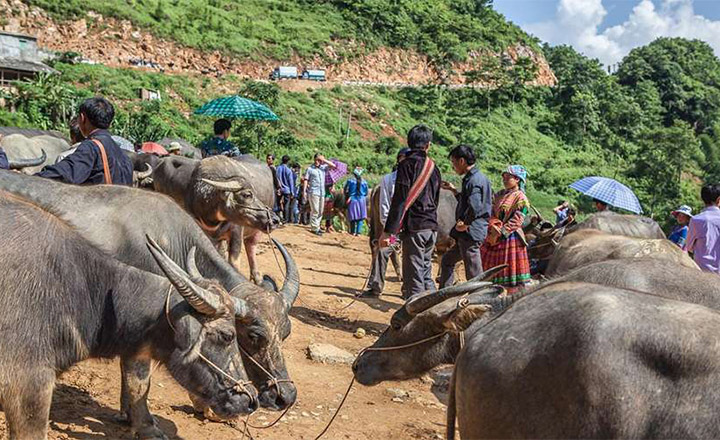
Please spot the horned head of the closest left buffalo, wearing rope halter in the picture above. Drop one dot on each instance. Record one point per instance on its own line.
(203, 353)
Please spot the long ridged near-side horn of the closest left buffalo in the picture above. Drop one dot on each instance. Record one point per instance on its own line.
(200, 299)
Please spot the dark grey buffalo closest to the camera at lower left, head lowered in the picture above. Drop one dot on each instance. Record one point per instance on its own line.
(64, 300)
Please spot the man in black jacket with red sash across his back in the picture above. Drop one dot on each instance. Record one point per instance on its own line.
(419, 224)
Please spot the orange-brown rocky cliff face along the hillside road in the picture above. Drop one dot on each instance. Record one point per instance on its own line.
(118, 43)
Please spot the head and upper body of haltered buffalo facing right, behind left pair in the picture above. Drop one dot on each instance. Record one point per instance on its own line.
(234, 193)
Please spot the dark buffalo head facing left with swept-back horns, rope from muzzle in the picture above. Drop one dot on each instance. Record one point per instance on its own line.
(436, 317)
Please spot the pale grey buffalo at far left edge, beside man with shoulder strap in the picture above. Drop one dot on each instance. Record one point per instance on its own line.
(19, 146)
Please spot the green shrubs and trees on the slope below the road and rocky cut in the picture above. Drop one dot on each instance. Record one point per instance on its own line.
(655, 125)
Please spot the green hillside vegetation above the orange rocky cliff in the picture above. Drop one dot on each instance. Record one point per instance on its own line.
(445, 30)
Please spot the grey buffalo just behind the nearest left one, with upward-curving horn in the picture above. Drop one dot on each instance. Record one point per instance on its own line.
(116, 219)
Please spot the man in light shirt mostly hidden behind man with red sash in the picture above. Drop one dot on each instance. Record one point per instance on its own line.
(376, 281)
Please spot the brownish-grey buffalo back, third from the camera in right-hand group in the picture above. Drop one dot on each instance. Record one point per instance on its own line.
(587, 246)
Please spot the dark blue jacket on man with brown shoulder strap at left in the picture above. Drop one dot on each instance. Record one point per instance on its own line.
(84, 166)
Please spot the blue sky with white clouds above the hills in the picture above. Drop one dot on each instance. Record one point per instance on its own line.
(609, 29)
